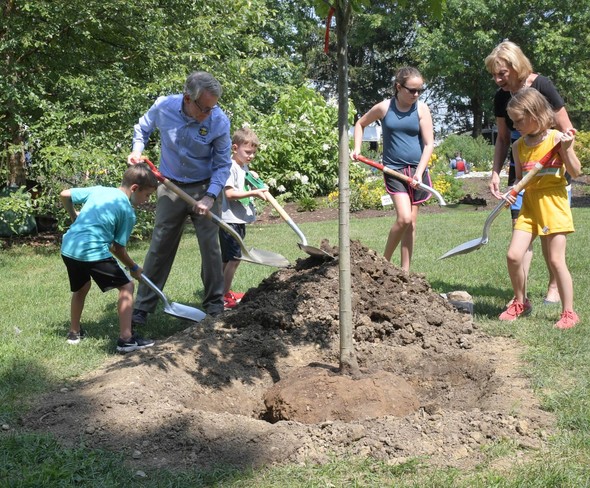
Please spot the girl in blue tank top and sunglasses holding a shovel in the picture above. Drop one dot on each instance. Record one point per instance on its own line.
(408, 142)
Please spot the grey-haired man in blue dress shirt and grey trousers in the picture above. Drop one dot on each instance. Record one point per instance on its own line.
(195, 155)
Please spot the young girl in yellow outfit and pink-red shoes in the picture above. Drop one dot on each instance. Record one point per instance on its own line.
(545, 210)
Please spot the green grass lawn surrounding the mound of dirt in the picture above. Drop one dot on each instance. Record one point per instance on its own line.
(34, 357)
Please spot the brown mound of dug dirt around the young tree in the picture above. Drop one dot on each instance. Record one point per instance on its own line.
(260, 385)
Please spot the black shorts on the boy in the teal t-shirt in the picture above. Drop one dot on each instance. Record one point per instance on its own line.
(106, 273)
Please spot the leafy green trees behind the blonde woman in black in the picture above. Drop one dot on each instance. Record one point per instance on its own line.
(453, 49)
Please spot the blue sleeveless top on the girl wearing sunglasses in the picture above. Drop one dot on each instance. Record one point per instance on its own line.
(402, 143)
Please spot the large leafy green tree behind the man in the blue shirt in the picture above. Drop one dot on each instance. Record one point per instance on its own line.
(76, 76)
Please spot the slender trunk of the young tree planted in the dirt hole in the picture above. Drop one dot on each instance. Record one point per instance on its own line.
(348, 362)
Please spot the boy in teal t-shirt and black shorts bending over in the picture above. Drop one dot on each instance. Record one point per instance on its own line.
(100, 230)
